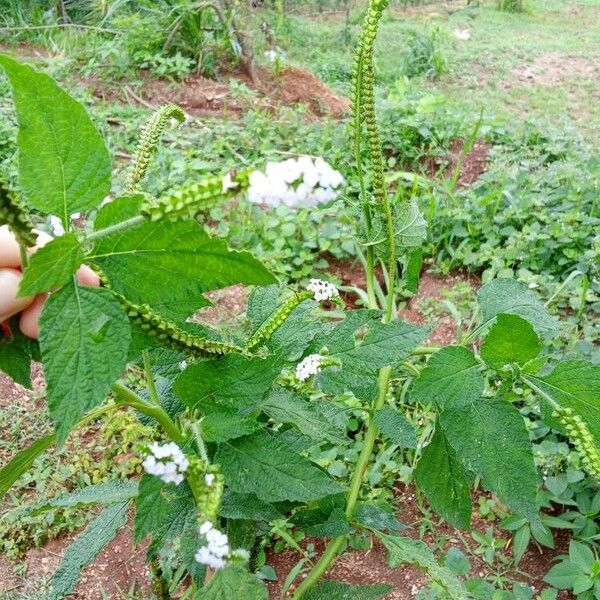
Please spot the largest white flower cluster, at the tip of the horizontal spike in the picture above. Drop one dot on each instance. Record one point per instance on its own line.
(296, 182)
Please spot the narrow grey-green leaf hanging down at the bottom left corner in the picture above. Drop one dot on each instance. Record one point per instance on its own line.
(86, 547)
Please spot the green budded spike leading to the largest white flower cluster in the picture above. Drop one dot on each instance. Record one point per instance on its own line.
(189, 200)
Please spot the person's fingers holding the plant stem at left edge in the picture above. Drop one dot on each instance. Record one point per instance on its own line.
(11, 275)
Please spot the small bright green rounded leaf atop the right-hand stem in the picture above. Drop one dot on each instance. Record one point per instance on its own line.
(510, 340)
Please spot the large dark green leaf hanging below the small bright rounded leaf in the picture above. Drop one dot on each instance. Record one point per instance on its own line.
(490, 438)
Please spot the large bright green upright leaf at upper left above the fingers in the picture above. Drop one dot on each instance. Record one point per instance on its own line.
(64, 166)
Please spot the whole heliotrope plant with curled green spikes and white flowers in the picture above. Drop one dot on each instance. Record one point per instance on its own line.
(237, 419)
